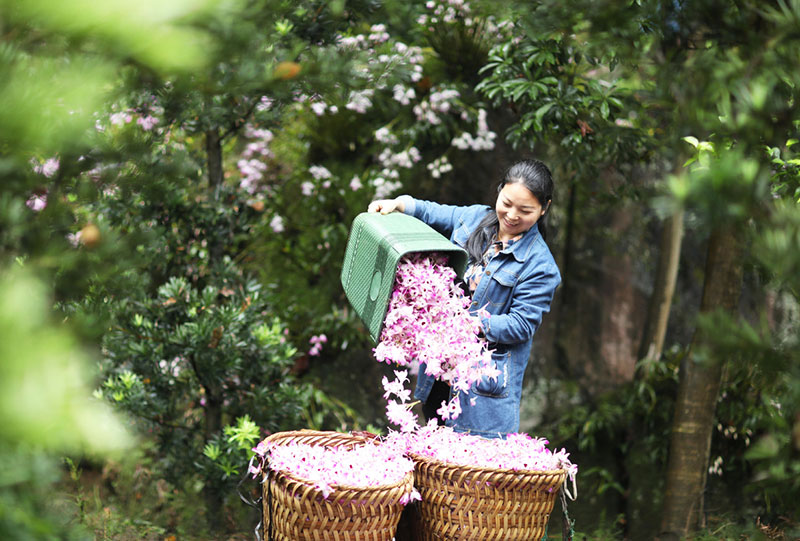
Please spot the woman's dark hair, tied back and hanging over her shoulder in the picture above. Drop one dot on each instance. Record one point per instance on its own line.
(532, 174)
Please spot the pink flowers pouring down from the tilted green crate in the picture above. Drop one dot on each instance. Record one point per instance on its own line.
(428, 321)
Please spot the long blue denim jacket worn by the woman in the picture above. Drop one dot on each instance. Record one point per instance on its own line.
(516, 290)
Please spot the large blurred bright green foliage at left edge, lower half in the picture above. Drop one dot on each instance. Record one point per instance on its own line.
(45, 397)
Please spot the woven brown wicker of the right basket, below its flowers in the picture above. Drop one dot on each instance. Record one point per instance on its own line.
(469, 503)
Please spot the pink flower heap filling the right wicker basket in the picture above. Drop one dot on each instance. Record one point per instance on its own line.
(518, 452)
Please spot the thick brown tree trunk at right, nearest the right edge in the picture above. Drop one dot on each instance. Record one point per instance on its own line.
(697, 396)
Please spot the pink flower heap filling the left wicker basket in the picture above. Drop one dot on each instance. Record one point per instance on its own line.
(325, 468)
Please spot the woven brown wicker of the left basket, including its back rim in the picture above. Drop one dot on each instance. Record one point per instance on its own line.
(296, 511)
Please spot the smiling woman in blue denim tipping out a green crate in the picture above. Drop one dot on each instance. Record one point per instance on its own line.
(511, 273)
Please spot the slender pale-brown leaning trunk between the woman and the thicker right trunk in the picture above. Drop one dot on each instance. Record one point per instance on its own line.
(655, 330)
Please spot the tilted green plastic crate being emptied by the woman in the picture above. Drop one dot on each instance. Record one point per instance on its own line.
(377, 243)
